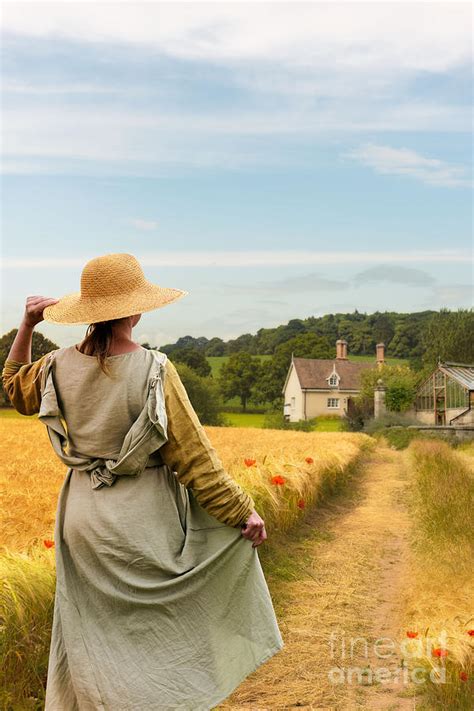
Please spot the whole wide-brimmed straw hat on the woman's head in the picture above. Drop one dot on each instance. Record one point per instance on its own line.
(112, 286)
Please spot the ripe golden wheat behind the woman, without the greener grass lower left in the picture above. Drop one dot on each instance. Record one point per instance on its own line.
(32, 474)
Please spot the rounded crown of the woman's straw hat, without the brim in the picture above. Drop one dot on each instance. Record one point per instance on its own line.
(110, 275)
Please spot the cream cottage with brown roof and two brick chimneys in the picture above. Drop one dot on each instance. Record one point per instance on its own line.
(324, 386)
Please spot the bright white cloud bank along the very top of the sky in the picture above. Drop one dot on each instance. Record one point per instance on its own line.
(418, 36)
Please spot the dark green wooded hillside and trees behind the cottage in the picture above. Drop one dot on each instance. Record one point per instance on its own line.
(421, 338)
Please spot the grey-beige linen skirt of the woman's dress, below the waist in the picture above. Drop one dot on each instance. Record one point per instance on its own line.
(158, 605)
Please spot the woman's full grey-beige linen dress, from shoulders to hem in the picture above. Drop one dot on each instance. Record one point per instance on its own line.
(158, 603)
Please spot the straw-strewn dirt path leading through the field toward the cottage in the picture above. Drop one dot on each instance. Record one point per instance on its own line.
(341, 595)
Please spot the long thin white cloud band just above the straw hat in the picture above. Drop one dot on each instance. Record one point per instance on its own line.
(277, 258)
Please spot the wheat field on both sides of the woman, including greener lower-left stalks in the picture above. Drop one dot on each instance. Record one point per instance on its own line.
(287, 473)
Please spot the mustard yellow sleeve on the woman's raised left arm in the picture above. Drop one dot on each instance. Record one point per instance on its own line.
(21, 382)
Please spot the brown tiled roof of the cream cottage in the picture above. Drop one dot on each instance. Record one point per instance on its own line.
(312, 372)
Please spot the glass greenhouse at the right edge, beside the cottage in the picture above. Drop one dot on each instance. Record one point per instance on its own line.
(446, 397)
